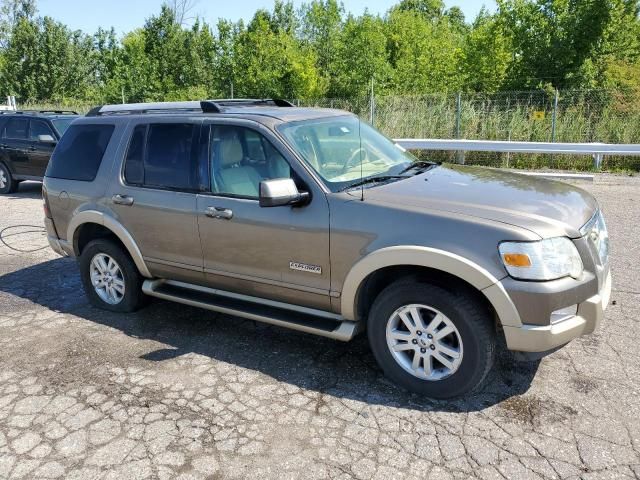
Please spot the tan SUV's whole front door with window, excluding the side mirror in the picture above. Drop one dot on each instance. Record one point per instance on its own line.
(280, 253)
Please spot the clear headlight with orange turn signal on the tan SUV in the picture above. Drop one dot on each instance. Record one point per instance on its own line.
(543, 260)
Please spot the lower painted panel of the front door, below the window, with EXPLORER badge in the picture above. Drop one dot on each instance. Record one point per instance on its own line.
(255, 247)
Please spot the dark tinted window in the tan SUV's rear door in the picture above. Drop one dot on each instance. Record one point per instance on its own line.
(163, 155)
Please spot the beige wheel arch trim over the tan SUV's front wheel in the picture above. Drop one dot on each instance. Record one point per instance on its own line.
(433, 264)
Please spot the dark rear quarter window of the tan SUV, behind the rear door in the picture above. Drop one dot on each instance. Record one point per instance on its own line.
(79, 153)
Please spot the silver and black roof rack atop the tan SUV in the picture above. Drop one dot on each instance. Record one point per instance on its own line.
(202, 106)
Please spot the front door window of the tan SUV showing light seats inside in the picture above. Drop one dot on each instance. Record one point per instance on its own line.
(240, 159)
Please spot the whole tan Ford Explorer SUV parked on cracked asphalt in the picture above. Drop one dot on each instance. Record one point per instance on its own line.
(310, 219)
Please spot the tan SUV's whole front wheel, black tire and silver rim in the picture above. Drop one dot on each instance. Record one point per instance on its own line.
(431, 341)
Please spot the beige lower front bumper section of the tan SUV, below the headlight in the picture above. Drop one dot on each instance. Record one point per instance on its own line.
(542, 338)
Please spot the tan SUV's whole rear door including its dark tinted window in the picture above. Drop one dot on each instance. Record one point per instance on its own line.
(154, 196)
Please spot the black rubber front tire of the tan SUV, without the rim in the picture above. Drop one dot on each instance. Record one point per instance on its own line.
(469, 316)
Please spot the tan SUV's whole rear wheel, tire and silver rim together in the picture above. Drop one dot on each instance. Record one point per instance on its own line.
(109, 277)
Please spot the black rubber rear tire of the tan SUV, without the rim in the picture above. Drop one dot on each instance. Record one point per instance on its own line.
(133, 297)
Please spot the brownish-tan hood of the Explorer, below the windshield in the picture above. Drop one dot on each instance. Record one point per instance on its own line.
(545, 207)
